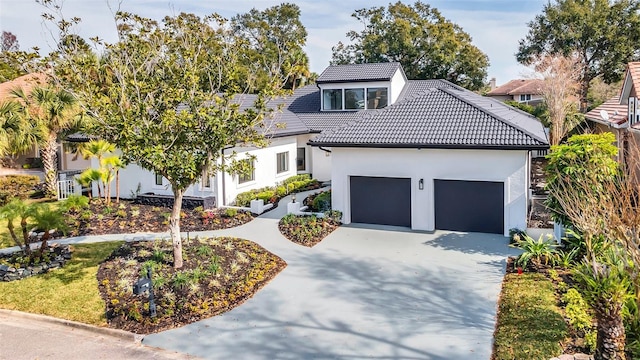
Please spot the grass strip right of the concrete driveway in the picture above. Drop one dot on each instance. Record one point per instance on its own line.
(530, 325)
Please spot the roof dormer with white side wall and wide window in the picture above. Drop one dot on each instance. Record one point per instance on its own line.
(356, 87)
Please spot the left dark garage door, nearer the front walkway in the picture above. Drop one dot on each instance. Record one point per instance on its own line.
(381, 200)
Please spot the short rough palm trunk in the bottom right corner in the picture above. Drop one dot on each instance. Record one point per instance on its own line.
(611, 335)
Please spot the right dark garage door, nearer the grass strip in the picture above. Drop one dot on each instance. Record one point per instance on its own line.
(474, 206)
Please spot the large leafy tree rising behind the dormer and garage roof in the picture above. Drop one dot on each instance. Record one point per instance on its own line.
(426, 44)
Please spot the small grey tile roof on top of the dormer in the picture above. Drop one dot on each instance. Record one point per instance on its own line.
(359, 72)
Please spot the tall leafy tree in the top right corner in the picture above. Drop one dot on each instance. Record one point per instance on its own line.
(603, 33)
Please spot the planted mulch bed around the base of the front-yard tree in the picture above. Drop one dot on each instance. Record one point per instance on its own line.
(218, 275)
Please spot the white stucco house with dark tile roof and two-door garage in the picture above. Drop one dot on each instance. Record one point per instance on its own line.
(424, 154)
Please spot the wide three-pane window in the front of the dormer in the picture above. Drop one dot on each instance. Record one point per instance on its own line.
(355, 98)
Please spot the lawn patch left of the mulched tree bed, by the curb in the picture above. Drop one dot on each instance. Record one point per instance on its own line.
(69, 293)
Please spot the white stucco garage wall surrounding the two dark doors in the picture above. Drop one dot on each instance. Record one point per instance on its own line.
(509, 167)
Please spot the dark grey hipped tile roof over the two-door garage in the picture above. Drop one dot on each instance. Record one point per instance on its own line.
(443, 117)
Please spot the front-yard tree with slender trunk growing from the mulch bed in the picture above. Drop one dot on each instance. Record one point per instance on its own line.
(169, 97)
